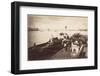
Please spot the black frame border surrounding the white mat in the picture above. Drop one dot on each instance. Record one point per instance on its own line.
(15, 37)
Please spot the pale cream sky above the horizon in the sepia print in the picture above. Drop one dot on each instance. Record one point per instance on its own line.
(57, 22)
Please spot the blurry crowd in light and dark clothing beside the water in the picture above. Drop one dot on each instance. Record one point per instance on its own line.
(74, 43)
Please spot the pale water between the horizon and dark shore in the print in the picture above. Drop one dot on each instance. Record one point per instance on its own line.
(40, 37)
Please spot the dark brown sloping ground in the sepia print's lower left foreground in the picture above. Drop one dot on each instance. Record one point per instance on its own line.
(46, 52)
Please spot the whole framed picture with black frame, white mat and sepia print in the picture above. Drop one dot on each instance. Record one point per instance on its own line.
(48, 37)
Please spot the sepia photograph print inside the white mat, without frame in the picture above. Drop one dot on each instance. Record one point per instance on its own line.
(57, 37)
